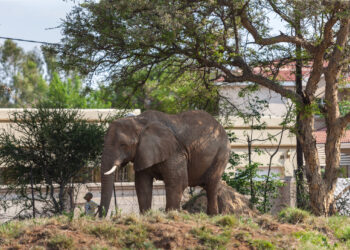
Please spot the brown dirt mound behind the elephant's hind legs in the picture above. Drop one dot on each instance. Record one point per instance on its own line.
(229, 202)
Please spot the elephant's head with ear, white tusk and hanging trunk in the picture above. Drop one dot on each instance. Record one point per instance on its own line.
(135, 140)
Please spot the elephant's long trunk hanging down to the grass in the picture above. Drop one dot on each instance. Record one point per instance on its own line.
(109, 165)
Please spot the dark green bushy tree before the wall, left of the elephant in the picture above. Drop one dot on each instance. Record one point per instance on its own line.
(49, 149)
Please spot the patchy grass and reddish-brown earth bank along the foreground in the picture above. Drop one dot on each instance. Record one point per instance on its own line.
(291, 229)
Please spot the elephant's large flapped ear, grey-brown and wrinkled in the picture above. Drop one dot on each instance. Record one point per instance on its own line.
(156, 144)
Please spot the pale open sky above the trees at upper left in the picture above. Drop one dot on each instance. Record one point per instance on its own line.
(32, 20)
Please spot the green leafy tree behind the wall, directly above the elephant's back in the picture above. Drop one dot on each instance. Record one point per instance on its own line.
(166, 91)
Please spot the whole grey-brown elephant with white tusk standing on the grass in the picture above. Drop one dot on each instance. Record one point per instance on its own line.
(188, 149)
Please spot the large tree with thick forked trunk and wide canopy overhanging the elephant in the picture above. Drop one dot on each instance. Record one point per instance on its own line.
(233, 38)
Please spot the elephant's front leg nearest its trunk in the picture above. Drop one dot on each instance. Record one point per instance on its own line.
(144, 185)
